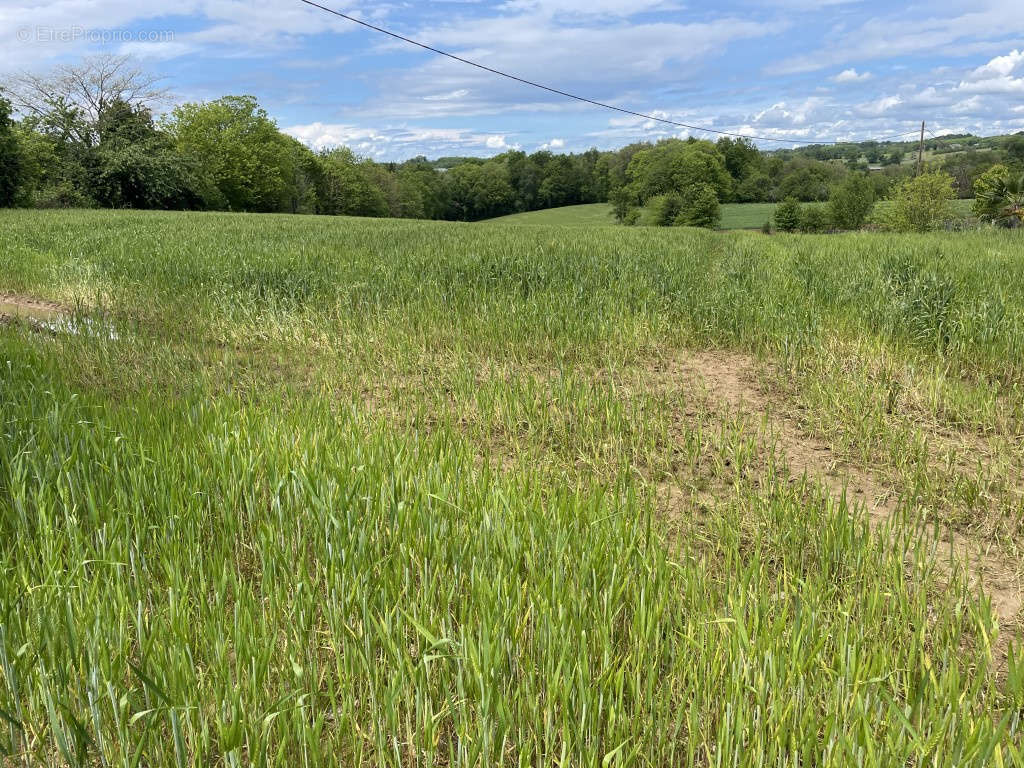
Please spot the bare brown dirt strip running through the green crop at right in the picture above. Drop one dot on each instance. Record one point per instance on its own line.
(733, 379)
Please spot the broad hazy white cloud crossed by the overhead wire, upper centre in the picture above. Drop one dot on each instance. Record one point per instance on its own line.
(603, 61)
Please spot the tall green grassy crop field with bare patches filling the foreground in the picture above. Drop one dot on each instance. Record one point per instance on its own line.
(300, 491)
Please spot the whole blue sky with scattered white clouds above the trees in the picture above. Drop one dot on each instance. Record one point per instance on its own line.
(789, 69)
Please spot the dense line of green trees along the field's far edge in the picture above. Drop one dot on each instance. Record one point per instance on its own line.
(87, 136)
